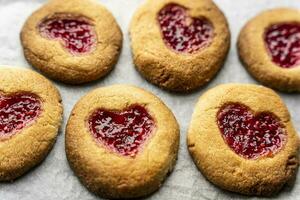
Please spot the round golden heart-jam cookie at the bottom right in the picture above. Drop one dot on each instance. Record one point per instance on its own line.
(242, 139)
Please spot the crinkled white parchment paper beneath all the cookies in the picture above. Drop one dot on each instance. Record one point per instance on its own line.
(53, 179)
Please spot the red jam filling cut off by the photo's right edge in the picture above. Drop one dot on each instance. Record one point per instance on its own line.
(283, 44)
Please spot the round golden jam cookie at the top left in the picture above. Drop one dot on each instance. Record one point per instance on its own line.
(74, 42)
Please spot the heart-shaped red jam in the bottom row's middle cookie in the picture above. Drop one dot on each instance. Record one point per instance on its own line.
(122, 131)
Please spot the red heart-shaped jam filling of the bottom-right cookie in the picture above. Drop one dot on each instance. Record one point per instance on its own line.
(248, 135)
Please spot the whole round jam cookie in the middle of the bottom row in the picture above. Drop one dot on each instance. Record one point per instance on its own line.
(121, 141)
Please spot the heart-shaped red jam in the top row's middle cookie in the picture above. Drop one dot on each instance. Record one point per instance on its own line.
(181, 32)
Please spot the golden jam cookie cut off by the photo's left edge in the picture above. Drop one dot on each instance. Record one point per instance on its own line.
(30, 115)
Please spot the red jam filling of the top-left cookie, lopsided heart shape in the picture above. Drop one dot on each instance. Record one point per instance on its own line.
(76, 33)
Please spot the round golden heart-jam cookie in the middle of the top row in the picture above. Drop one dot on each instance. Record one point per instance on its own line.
(179, 45)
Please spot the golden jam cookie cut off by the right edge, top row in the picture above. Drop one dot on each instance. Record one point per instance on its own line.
(269, 45)
